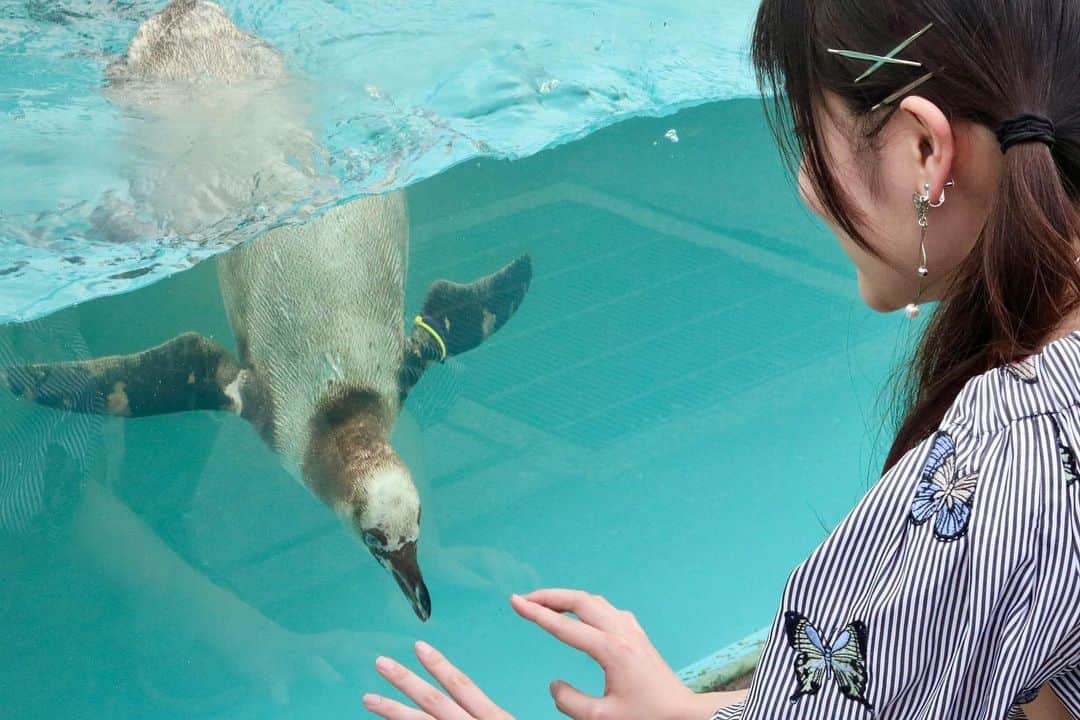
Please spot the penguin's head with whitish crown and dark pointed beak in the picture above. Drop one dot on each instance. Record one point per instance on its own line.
(386, 514)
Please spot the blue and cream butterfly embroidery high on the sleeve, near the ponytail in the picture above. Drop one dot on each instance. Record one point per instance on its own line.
(943, 492)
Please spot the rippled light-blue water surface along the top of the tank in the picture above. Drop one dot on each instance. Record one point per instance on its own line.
(394, 91)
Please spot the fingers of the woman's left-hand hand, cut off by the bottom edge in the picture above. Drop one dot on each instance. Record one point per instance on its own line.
(466, 701)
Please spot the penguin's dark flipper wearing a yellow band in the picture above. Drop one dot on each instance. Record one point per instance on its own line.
(455, 319)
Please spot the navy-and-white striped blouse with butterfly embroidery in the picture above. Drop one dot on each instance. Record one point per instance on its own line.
(952, 591)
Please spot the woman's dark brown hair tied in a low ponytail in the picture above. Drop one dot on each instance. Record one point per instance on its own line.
(992, 60)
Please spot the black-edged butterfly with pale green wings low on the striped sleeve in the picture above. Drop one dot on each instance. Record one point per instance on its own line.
(817, 659)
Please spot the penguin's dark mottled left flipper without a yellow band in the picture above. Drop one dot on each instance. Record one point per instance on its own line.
(188, 373)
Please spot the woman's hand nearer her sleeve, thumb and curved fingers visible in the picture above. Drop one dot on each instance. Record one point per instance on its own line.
(639, 684)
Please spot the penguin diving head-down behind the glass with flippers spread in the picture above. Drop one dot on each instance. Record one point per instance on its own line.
(323, 363)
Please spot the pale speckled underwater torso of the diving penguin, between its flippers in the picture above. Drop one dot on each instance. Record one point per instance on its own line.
(319, 308)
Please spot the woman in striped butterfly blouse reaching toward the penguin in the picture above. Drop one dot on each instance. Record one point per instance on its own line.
(941, 142)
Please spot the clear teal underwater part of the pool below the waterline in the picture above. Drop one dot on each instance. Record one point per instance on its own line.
(688, 400)
